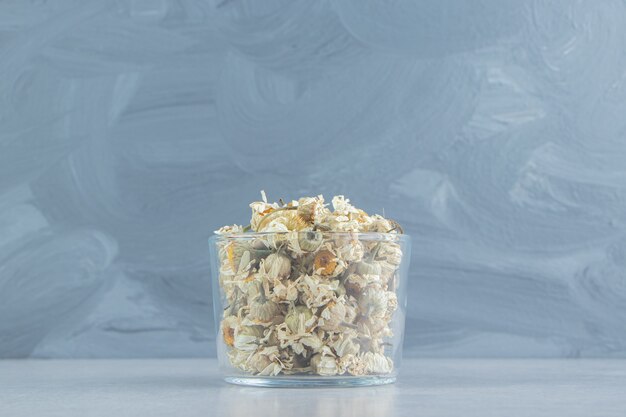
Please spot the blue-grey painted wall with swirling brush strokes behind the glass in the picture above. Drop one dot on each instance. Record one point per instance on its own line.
(494, 130)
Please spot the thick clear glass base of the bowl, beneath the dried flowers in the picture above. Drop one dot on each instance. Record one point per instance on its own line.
(310, 381)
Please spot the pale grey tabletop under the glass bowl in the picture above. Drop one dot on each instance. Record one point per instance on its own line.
(191, 387)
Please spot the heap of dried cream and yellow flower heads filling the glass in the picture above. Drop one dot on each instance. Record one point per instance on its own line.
(307, 299)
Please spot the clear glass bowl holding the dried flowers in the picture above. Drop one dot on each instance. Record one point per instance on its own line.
(309, 308)
